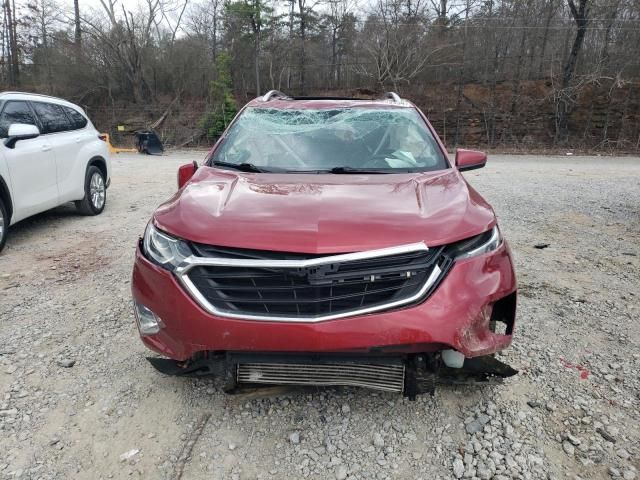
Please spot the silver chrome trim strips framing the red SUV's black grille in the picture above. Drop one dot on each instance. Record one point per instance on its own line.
(182, 273)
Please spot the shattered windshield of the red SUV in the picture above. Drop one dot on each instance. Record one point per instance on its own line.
(341, 140)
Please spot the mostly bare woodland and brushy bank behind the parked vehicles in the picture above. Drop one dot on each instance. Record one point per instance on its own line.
(523, 75)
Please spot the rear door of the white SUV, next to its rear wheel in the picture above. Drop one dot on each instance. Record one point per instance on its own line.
(66, 143)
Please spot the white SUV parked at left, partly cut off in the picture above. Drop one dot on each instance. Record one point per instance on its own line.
(50, 154)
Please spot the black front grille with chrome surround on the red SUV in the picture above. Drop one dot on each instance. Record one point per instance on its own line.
(253, 284)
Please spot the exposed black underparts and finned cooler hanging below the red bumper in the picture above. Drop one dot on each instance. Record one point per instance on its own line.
(409, 375)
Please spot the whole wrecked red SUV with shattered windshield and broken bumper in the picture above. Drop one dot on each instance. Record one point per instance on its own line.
(327, 241)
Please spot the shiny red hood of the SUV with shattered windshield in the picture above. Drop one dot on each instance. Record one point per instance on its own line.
(324, 213)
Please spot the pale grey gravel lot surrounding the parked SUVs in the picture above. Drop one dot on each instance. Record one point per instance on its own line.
(78, 400)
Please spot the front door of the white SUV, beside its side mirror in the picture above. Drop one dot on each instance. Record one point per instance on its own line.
(31, 164)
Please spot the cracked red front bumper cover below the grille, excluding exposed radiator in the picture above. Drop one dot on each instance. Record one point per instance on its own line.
(456, 316)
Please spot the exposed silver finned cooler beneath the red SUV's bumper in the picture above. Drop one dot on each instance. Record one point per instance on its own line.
(389, 378)
